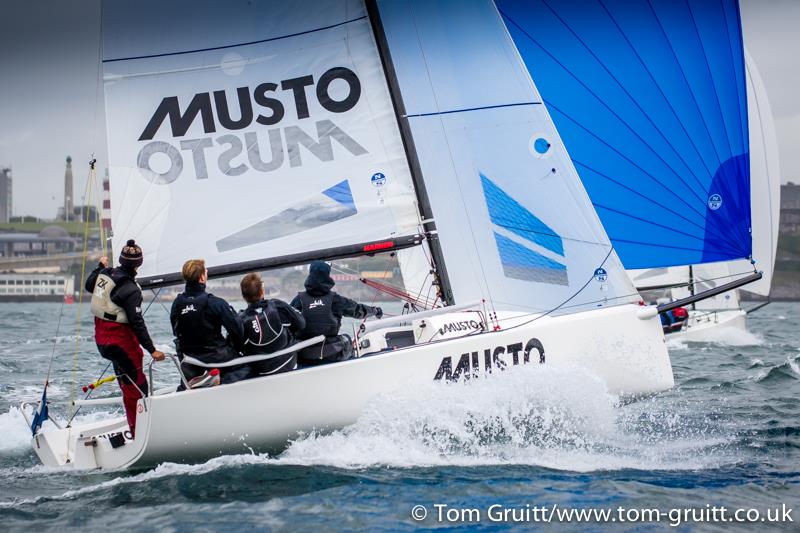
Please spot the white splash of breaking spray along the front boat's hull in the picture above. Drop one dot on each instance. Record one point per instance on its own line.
(563, 419)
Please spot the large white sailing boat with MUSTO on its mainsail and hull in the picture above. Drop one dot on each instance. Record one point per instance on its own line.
(260, 137)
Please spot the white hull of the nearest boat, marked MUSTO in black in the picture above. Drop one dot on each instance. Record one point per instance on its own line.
(622, 345)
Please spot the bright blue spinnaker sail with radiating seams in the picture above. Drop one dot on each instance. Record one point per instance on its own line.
(650, 100)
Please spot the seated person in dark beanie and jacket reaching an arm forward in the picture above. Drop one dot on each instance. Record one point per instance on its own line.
(323, 310)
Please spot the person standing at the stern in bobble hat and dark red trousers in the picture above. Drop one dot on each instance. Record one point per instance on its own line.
(119, 327)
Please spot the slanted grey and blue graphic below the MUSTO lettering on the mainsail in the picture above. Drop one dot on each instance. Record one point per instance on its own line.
(332, 204)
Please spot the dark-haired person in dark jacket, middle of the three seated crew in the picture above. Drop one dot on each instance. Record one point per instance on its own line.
(269, 326)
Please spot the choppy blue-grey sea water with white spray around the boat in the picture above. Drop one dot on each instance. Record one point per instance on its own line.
(727, 435)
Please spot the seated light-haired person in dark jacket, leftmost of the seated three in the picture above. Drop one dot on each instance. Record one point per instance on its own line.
(197, 319)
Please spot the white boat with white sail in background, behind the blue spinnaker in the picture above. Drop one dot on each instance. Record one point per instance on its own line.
(707, 318)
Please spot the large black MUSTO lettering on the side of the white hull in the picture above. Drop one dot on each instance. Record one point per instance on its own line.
(470, 364)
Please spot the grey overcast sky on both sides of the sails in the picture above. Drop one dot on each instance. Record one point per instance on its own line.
(51, 101)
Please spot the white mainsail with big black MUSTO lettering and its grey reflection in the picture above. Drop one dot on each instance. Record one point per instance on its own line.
(257, 137)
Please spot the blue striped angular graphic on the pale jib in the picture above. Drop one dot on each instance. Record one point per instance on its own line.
(511, 222)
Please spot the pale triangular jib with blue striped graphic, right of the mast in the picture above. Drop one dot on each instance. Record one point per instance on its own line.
(515, 224)
